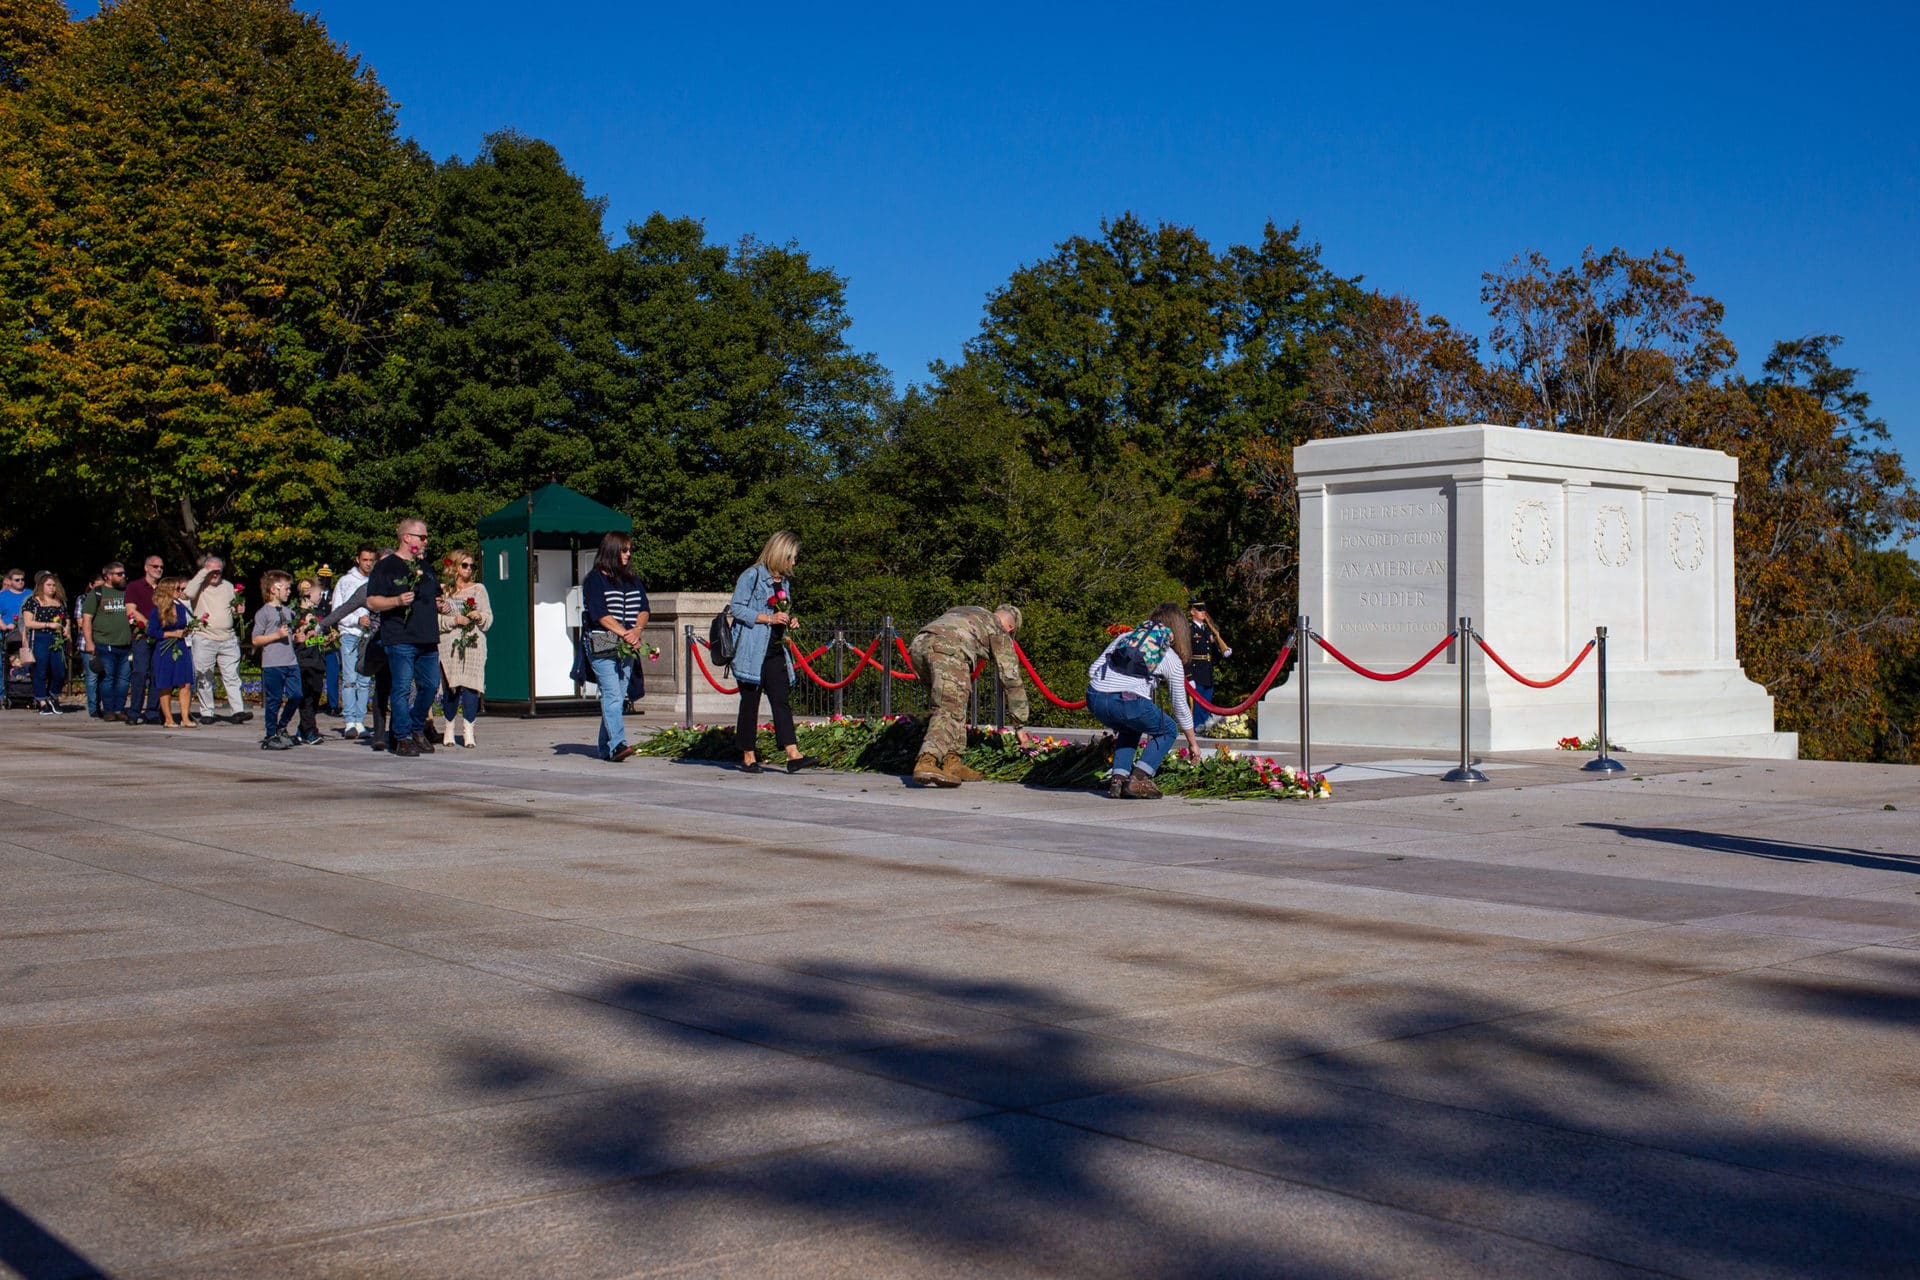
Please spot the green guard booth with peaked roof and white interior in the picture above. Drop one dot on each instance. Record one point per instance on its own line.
(535, 554)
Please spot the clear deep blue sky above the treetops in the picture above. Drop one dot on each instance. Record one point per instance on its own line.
(926, 154)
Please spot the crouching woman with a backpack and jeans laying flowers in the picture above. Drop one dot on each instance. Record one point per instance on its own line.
(1120, 694)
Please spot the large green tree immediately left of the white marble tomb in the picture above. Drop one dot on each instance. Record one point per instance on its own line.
(1143, 364)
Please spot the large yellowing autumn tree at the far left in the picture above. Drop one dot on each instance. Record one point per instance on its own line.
(204, 235)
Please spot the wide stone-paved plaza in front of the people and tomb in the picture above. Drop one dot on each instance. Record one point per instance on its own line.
(521, 1014)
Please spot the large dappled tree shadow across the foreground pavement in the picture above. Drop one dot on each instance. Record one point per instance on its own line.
(967, 1124)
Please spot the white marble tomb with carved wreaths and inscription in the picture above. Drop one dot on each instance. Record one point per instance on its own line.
(1539, 538)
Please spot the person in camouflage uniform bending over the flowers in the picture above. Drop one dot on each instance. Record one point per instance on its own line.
(946, 655)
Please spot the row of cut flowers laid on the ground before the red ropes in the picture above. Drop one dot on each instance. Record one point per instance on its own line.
(890, 744)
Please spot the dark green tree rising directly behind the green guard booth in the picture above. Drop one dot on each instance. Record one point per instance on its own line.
(514, 379)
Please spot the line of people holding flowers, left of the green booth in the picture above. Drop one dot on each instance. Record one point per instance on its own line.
(395, 634)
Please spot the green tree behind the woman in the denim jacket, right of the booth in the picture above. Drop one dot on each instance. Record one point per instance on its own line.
(742, 402)
